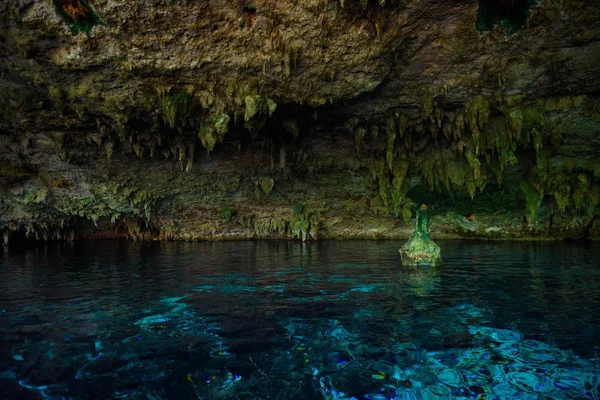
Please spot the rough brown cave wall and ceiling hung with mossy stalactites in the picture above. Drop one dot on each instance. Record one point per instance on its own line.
(210, 119)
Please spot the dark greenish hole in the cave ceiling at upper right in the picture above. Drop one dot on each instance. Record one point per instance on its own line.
(510, 14)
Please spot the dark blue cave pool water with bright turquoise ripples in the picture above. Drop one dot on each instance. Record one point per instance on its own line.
(285, 320)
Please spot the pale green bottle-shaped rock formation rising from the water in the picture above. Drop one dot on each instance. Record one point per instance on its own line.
(420, 250)
